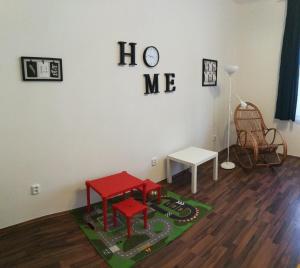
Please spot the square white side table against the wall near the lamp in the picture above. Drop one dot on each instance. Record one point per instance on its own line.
(193, 157)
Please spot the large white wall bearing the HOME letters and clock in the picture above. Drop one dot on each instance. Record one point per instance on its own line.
(98, 121)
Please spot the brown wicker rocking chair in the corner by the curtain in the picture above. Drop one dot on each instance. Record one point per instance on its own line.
(257, 145)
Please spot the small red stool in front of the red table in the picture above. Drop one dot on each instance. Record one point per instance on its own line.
(129, 208)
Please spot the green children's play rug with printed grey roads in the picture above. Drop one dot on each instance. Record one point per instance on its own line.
(166, 221)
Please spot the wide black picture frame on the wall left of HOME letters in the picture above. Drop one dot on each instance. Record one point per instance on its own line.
(41, 69)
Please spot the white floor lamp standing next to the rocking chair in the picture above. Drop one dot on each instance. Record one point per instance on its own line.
(230, 70)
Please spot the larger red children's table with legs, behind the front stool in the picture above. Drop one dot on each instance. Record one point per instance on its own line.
(110, 186)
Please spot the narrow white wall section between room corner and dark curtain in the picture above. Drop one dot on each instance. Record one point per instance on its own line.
(261, 33)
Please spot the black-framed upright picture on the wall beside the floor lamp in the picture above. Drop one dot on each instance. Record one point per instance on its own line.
(209, 73)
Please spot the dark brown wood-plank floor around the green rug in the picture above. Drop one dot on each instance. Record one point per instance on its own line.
(255, 223)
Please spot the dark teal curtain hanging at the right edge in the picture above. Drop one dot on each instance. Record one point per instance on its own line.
(289, 68)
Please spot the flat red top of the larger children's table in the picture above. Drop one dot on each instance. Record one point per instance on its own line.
(115, 184)
